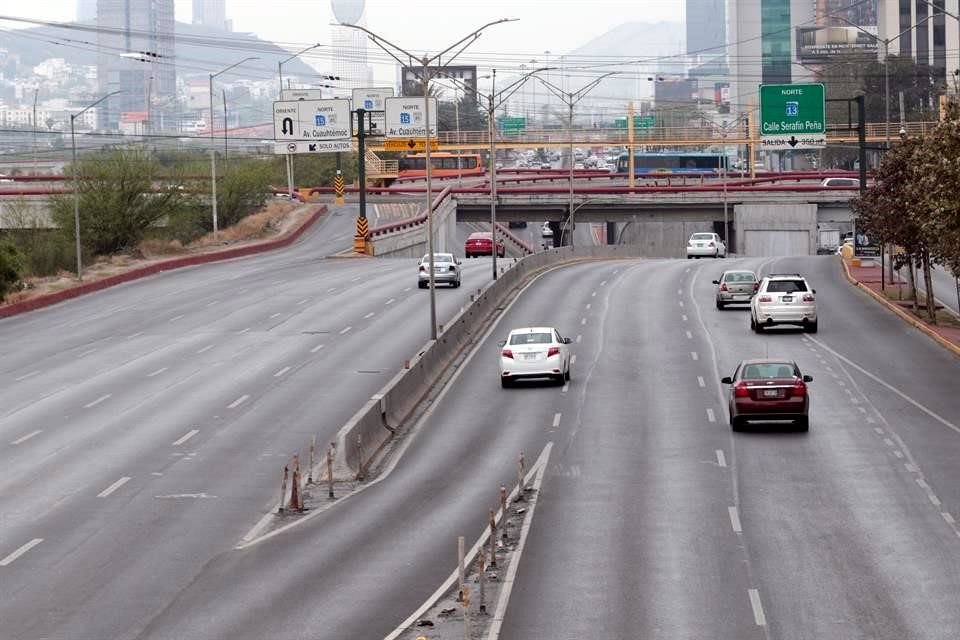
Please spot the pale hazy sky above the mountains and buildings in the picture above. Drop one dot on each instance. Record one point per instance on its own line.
(418, 25)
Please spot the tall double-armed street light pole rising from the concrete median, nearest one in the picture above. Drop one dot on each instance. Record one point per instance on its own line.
(425, 63)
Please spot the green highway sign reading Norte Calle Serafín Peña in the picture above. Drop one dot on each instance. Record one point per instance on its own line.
(792, 116)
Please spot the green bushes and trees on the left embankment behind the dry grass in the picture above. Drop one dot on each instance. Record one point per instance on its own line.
(136, 201)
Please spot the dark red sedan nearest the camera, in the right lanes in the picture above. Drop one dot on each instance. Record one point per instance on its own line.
(768, 390)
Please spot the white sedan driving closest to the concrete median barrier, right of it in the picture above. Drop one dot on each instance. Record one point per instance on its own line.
(534, 352)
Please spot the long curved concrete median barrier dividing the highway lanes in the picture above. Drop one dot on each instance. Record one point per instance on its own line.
(376, 422)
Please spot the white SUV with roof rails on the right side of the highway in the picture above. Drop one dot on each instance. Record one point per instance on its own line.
(784, 299)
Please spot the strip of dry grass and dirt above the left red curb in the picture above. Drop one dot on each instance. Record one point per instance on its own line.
(274, 220)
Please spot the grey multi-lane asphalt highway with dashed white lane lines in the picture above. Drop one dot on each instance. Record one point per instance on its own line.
(655, 522)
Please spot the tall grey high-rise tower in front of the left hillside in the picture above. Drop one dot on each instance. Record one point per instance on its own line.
(146, 75)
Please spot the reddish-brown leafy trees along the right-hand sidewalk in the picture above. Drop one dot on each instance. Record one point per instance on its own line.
(915, 204)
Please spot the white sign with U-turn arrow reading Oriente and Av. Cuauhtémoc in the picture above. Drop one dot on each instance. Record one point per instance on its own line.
(311, 120)
